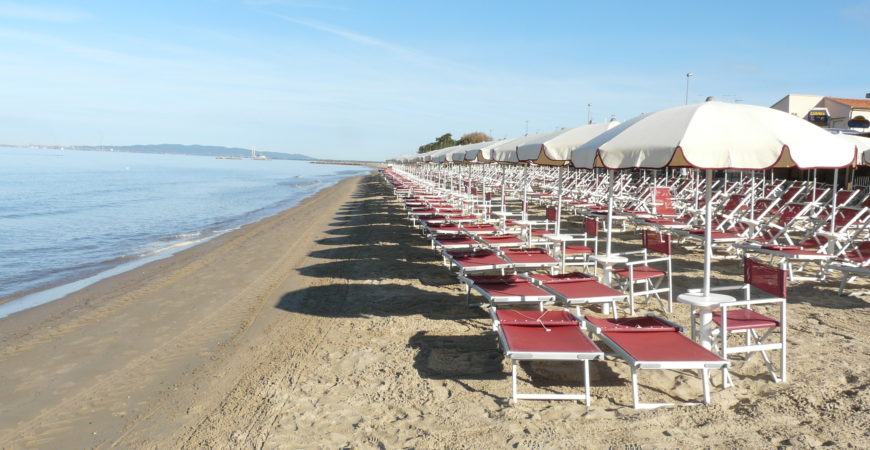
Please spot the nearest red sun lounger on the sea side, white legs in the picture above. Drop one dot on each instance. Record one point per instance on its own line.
(544, 336)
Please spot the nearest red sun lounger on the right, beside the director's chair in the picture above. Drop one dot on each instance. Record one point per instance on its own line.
(654, 343)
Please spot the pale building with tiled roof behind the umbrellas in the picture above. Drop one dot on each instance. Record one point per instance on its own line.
(829, 112)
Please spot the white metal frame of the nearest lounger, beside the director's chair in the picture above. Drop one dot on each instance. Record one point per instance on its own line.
(635, 365)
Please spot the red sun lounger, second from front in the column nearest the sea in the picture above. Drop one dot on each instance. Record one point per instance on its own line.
(506, 289)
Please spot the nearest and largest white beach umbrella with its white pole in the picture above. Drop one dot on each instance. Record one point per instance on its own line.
(715, 136)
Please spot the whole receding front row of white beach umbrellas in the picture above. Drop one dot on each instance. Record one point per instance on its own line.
(708, 136)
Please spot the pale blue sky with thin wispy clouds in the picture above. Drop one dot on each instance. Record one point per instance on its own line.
(370, 80)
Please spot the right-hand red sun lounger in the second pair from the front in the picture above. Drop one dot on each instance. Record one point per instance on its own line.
(575, 289)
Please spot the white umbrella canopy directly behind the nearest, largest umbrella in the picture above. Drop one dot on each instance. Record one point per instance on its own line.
(554, 149)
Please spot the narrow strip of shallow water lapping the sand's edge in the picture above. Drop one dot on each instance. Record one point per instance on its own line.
(54, 291)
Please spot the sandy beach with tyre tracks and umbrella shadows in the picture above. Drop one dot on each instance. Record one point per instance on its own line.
(334, 325)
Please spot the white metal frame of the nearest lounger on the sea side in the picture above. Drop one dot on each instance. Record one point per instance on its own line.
(516, 357)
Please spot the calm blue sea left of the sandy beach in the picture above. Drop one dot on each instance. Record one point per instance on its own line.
(71, 218)
